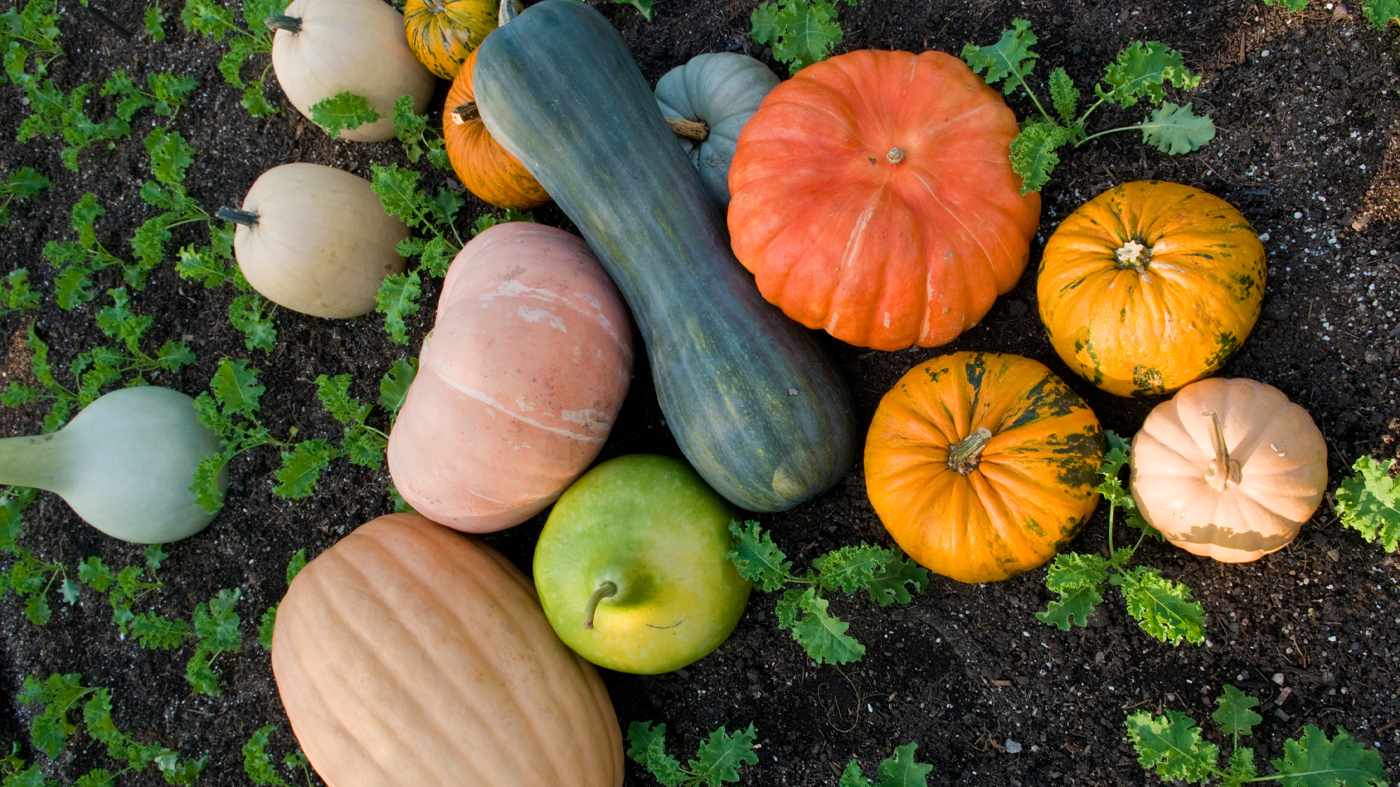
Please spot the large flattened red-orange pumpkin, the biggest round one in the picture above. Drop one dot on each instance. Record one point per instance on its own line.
(873, 197)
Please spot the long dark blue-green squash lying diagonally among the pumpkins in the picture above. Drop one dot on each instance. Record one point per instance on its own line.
(754, 403)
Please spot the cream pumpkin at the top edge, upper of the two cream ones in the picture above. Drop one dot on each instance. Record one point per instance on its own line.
(324, 48)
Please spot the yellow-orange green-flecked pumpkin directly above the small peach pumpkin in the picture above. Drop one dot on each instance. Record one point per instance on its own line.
(1150, 286)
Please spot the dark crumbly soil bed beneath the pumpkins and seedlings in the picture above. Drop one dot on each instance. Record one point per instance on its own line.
(1307, 109)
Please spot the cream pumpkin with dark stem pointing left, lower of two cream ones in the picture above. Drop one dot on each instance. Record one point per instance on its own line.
(316, 240)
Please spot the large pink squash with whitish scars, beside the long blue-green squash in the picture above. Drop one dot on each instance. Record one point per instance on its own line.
(519, 383)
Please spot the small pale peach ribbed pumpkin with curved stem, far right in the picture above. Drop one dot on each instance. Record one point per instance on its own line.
(1228, 470)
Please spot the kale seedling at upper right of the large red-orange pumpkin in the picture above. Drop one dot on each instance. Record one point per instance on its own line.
(1142, 72)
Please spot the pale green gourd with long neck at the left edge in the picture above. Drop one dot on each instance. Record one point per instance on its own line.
(125, 464)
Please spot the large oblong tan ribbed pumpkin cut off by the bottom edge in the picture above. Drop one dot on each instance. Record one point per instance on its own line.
(412, 656)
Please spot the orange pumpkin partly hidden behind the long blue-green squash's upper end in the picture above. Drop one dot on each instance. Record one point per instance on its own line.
(482, 165)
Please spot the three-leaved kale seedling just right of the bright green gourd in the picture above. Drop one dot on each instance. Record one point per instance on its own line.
(885, 575)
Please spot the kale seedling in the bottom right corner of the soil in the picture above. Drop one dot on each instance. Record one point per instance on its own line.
(1172, 747)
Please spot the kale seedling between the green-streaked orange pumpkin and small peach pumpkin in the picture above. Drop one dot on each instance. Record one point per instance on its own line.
(1163, 608)
